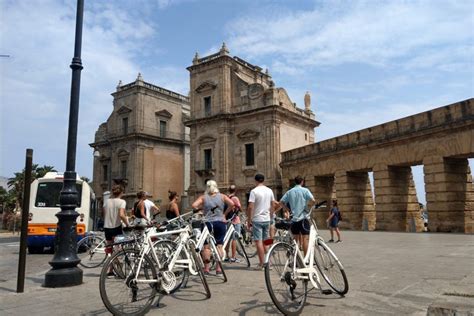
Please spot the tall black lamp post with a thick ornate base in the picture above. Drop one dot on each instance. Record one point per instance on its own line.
(64, 271)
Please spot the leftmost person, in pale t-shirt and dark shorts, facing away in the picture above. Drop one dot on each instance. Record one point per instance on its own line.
(115, 214)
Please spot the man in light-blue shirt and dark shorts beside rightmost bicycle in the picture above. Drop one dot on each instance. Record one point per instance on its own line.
(298, 197)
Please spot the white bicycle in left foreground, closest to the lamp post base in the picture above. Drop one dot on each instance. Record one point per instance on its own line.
(131, 278)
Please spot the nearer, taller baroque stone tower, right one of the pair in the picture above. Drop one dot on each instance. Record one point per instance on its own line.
(240, 123)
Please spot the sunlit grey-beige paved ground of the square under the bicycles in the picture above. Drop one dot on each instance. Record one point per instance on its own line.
(389, 273)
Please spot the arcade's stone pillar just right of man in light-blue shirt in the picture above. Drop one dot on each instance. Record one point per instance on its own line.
(323, 190)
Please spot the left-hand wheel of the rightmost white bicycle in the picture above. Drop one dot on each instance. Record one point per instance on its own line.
(287, 291)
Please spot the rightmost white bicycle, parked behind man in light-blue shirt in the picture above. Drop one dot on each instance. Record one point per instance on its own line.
(287, 271)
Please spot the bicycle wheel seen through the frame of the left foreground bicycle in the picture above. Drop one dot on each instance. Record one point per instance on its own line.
(165, 250)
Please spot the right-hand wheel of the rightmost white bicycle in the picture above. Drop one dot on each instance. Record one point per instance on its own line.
(330, 267)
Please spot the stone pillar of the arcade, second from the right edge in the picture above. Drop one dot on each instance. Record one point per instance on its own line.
(396, 203)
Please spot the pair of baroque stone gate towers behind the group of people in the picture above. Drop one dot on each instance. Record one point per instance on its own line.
(234, 124)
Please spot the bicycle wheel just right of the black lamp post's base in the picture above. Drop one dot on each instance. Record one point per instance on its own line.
(91, 251)
